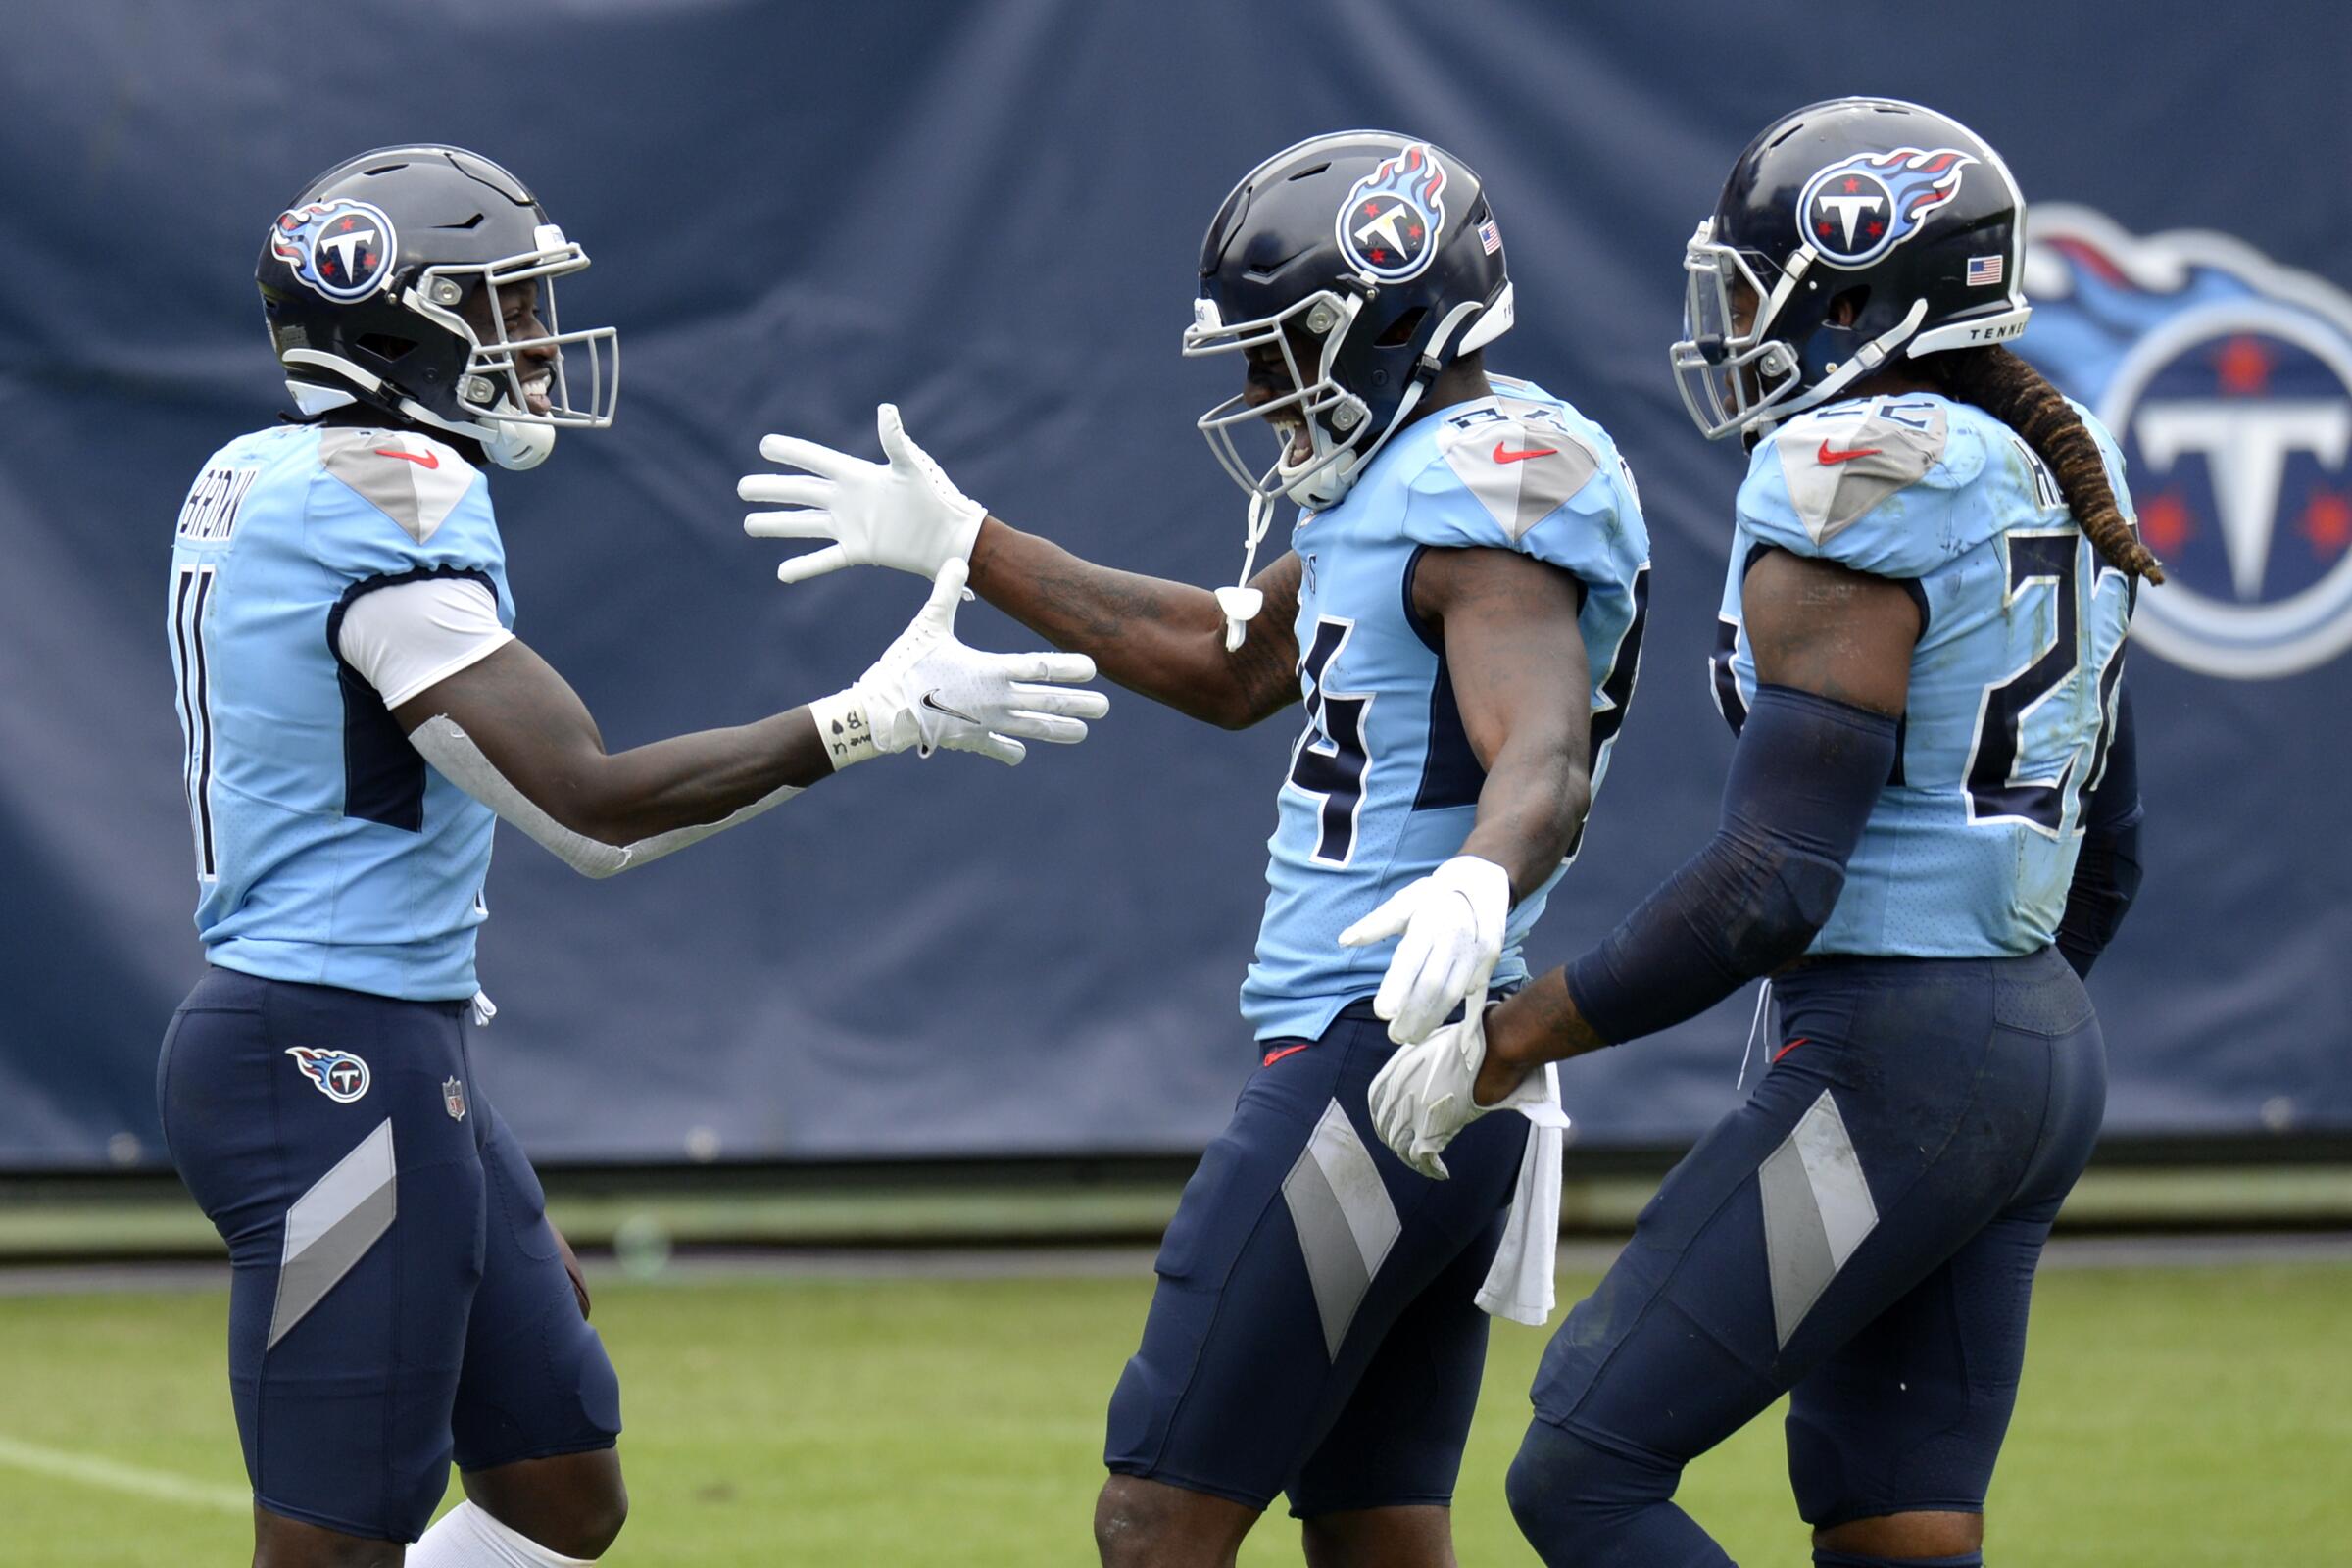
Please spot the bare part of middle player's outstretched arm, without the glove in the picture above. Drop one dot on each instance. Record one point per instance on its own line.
(1151, 636)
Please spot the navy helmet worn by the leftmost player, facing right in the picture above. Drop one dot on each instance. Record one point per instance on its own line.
(373, 283)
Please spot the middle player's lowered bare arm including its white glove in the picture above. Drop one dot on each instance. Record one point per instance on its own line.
(1521, 681)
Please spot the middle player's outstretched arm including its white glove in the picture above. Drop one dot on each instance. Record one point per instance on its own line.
(1151, 636)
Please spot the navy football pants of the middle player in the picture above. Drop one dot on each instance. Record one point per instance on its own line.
(1316, 1327)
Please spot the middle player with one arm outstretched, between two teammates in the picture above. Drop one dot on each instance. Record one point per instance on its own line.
(1462, 615)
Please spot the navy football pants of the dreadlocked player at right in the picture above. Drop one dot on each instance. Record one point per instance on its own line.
(1862, 1235)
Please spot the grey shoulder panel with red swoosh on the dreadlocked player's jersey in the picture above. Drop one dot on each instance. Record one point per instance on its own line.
(1847, 460)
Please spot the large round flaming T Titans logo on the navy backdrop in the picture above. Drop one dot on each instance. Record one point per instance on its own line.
(2229, 384)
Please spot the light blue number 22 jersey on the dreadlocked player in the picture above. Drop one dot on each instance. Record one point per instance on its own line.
(2012, 692)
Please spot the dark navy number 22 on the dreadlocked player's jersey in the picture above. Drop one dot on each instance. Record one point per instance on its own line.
(2010, 777)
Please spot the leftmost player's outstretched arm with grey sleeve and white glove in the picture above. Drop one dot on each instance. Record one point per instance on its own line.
(514, 735)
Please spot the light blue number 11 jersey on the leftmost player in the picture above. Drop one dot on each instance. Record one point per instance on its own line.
(326, 847)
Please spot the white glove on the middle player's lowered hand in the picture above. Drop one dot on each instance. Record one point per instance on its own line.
(1452, 925)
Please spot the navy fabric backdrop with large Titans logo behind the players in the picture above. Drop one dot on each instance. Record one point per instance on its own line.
(991, 215)
